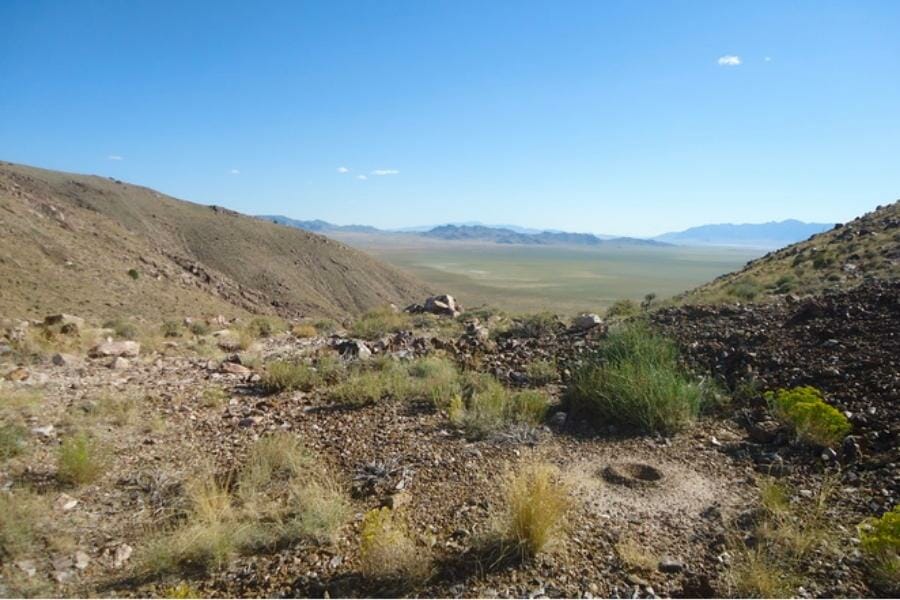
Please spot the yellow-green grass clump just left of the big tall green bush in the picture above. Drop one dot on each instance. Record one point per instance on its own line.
(486, 407)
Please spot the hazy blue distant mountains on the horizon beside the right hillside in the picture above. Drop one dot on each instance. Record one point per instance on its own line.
(751, 235)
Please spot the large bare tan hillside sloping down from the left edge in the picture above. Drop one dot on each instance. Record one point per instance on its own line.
(100, 247)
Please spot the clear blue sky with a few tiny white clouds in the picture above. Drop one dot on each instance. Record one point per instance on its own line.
(611, 117)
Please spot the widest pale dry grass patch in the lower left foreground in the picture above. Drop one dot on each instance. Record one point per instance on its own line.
(282, 493)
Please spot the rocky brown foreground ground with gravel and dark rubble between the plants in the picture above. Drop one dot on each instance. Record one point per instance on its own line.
(672, 498)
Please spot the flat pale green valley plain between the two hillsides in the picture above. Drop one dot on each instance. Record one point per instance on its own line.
(564, 279)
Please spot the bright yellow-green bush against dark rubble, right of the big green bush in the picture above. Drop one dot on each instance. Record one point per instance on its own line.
(805, 410)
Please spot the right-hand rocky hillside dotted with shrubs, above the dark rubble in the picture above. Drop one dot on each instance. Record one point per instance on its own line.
(866, 248)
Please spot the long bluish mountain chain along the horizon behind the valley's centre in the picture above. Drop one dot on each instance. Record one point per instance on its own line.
(472, 233)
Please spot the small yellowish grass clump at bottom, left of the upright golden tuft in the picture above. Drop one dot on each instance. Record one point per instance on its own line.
(388, 552)
